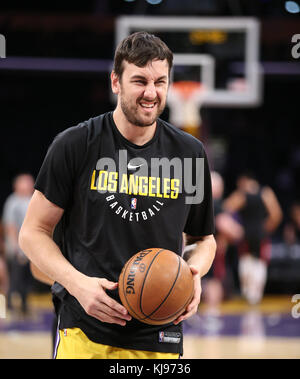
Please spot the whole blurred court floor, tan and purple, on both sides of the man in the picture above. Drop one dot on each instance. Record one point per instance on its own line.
(237, 331)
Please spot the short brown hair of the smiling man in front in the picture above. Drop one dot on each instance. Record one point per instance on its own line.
(140, 48)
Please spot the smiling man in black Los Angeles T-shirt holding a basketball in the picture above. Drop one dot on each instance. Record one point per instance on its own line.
(101, 218)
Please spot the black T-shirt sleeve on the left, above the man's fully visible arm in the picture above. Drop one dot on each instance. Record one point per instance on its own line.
(61, 164)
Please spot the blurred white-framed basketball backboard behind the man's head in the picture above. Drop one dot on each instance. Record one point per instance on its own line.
(220, 52)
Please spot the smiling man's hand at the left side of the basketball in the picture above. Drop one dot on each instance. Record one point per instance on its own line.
(91, 294)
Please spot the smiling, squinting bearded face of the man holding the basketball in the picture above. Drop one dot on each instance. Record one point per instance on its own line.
(142, 91)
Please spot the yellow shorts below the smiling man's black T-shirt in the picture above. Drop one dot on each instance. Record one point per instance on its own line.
(73, 344)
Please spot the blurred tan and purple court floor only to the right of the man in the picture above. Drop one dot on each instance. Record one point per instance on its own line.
(241, 331)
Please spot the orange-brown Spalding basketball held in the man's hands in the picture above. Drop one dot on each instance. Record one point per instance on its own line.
(156, 286)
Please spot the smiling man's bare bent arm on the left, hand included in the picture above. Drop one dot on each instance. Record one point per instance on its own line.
(36, 240)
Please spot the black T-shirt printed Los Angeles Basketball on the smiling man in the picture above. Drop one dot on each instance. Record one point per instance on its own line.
(115, 209)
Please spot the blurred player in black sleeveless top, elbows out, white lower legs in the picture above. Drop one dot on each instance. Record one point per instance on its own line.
(260, 214)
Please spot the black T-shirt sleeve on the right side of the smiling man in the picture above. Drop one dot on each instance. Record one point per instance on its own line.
(200, 221)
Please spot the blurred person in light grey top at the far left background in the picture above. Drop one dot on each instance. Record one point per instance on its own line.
(14, 211)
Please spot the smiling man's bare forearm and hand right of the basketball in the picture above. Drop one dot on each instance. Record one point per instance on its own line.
(200, 261)
